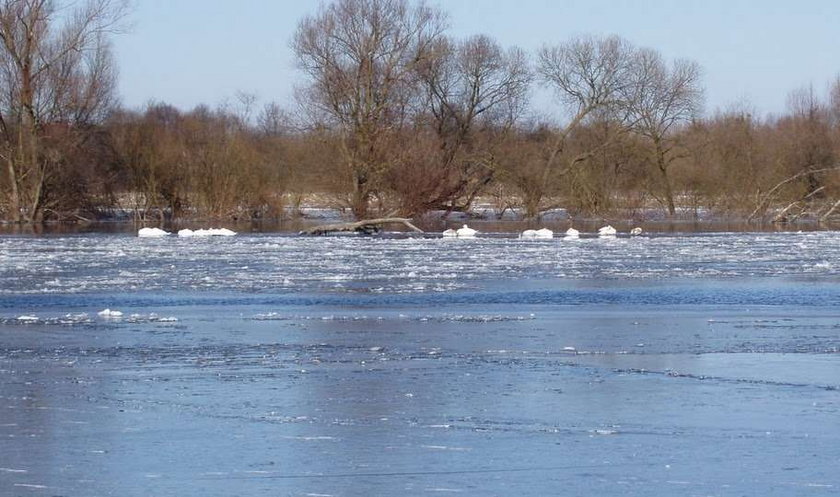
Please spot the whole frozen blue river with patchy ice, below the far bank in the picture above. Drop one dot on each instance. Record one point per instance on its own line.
(272, 365)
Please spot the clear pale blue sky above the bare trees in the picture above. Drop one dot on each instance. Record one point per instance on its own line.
(188, 52)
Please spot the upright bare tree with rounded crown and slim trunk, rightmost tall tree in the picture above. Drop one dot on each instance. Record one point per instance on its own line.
(659, 99)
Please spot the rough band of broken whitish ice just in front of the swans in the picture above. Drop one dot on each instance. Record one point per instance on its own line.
(278, 264)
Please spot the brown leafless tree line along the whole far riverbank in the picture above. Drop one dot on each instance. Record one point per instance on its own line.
(398, 118)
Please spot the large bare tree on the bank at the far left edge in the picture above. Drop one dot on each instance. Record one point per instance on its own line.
(56, 72)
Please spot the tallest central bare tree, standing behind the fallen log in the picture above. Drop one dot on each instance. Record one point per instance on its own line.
(360, 58)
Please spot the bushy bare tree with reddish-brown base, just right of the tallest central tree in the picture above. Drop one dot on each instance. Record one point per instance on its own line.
(473, 89)
